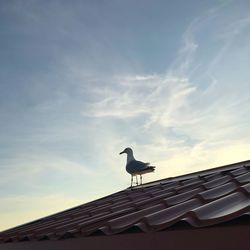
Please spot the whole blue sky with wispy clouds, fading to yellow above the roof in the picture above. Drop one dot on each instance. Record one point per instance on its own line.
(82, 80)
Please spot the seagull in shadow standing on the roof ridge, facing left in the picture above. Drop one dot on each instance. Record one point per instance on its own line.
(135, 167)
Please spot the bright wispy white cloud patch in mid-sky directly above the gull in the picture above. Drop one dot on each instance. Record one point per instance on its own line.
(158, 98)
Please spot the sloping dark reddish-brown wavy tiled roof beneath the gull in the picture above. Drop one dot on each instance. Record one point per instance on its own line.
(198, 200)
